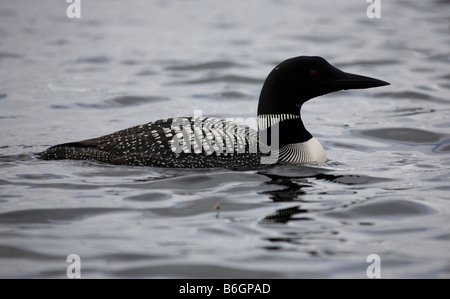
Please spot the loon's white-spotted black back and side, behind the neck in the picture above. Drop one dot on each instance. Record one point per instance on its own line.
(197, 142)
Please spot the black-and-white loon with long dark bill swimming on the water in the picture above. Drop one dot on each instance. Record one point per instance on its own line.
(198, 142)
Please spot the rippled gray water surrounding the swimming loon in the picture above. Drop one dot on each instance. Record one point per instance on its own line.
(385, 190)
